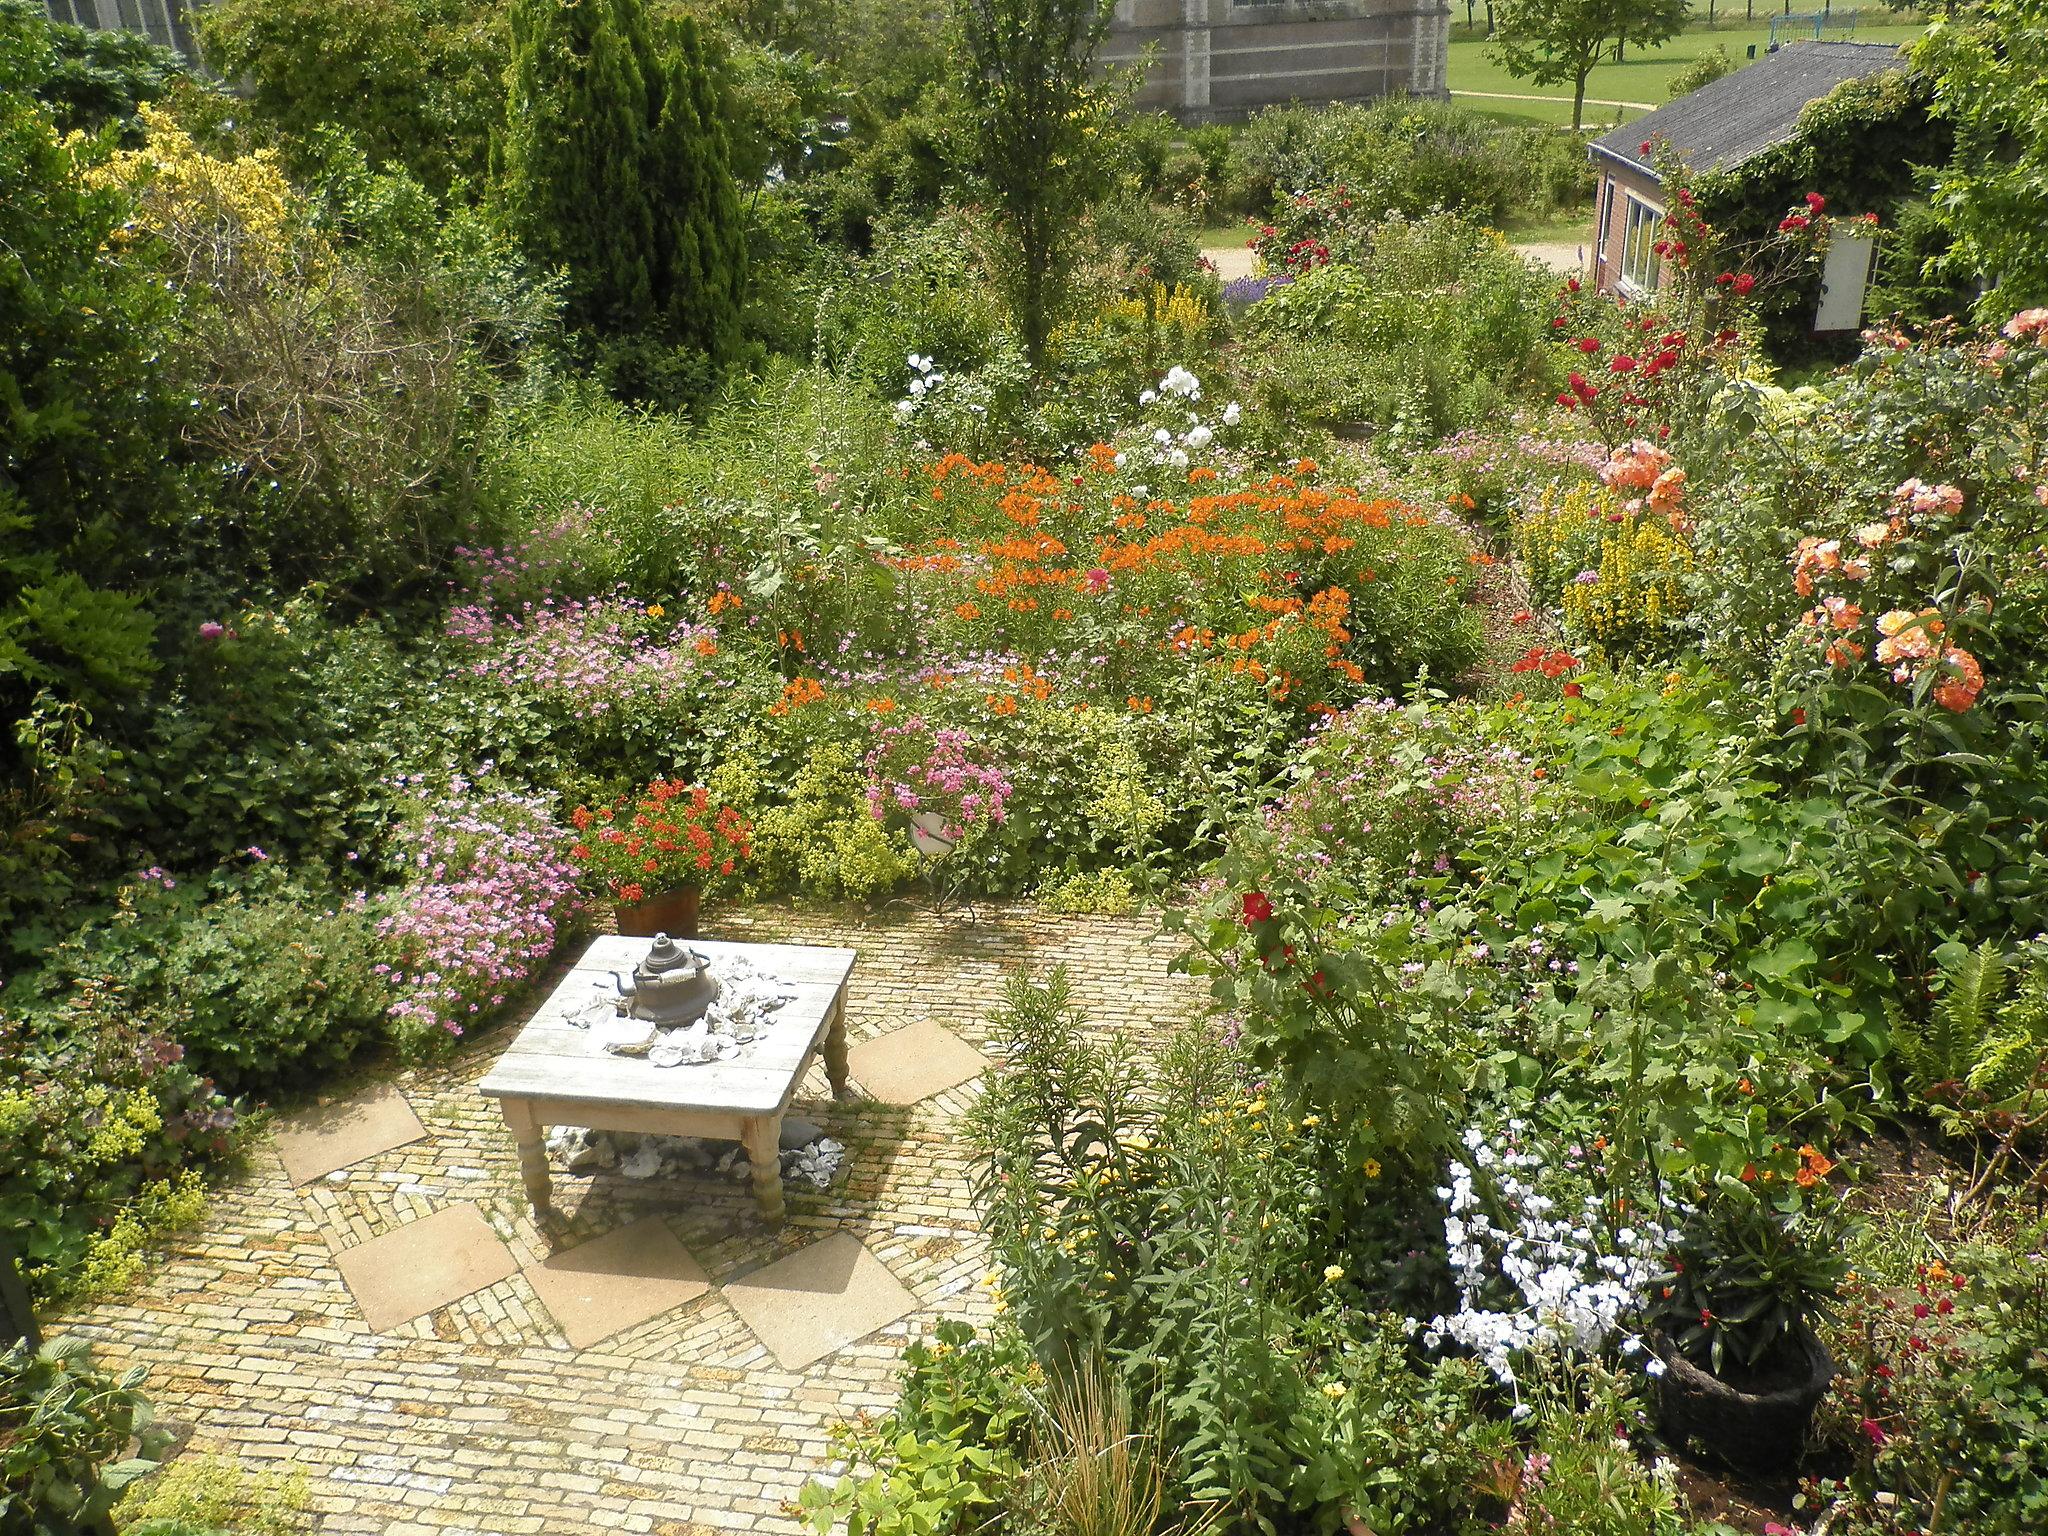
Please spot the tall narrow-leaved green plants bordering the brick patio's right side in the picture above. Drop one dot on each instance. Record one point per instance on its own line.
(1185, 1228)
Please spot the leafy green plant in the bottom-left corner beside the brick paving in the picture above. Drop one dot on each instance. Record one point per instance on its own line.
(65, 1433)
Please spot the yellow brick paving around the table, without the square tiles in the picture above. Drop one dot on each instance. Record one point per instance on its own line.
(480, 1416)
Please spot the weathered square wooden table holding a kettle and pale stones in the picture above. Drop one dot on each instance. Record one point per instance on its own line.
(560, 1074)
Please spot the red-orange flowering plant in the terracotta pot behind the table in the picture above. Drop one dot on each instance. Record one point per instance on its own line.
(665, 839)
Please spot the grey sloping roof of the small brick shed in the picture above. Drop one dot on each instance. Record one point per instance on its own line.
(1748, 112)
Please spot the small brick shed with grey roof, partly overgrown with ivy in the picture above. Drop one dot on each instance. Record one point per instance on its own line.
(1758, 140)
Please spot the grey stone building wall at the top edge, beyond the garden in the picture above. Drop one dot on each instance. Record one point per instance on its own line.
(1218, 60)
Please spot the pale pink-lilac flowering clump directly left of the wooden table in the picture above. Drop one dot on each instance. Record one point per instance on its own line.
(490, 896)
